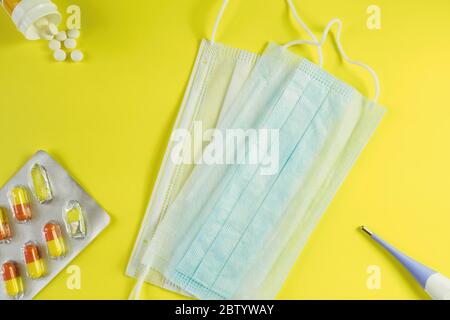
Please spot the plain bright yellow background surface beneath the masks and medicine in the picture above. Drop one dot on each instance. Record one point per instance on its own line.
(108, 119)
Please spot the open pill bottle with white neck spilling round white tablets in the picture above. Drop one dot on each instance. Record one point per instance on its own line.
(35, 19)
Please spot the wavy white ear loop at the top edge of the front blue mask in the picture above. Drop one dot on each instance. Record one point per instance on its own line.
(341, 51)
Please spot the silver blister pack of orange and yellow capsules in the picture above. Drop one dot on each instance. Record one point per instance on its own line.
(46, 220)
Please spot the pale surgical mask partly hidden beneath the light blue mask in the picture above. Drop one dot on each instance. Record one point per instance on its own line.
(218, 75)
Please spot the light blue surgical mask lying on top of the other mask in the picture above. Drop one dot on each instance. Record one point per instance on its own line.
(242, 231)
